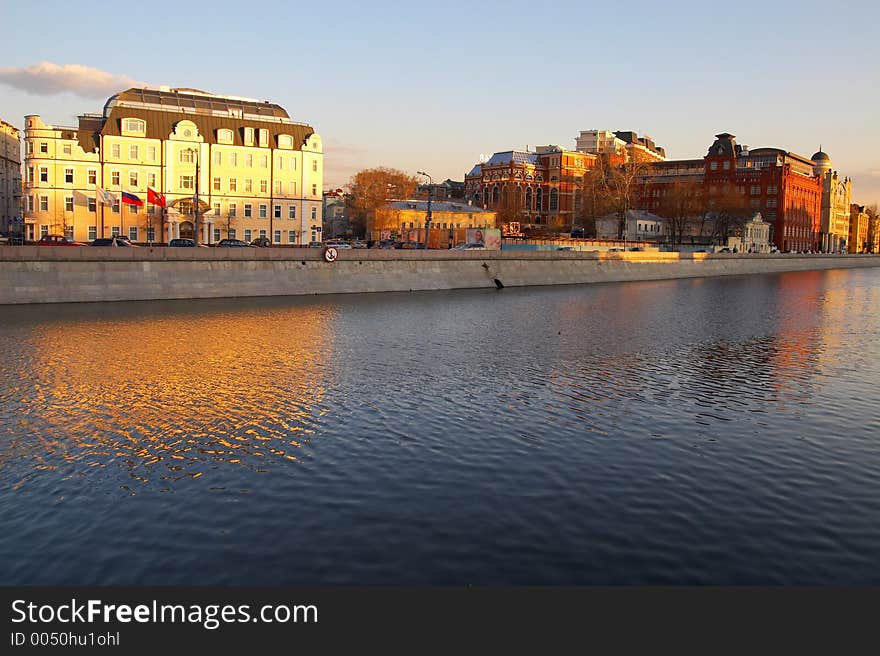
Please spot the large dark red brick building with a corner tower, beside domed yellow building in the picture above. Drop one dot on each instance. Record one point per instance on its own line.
(783, 186)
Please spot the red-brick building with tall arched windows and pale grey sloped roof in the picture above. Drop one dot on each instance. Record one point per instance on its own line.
(537, 189)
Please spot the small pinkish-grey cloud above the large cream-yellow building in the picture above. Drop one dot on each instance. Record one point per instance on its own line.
(47, 79)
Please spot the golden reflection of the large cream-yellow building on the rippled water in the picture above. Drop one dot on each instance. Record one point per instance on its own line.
(174, 396)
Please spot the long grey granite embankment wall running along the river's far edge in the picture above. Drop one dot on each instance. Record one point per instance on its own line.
(35, 274)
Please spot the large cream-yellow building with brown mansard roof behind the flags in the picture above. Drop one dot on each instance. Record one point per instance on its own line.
(255, 172)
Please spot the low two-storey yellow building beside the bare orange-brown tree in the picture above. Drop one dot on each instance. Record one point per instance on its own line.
(401, 216)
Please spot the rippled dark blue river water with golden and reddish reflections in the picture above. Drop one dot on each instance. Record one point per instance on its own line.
(706, 431)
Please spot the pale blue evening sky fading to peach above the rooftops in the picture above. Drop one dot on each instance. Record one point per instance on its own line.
(433, 86)
